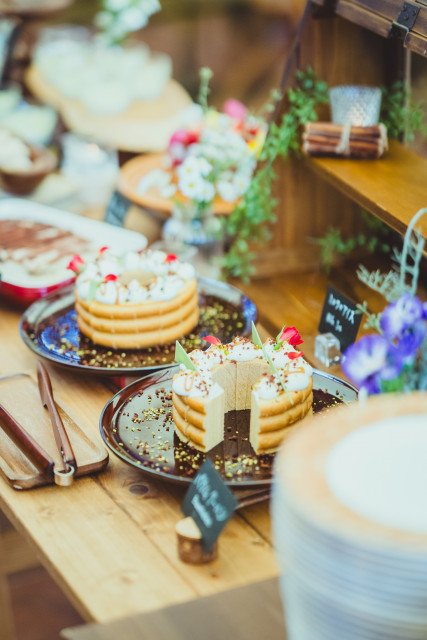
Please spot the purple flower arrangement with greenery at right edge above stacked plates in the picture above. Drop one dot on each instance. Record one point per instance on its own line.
(393, 359)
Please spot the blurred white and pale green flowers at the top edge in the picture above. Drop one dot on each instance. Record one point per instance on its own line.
(118, 18)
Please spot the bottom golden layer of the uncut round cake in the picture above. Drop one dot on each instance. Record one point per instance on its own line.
(142, 339)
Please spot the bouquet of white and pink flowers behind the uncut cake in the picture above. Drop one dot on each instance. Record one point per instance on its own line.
(213, 158)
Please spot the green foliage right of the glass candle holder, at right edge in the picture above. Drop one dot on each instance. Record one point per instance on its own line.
(402, 117)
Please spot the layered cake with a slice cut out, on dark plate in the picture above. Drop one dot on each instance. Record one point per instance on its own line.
(238, 376)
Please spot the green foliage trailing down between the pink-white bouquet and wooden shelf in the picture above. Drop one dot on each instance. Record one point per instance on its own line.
(249, 220)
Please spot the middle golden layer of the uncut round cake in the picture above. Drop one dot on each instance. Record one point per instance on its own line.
(138, 324)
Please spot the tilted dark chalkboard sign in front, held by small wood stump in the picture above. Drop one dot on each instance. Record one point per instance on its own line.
(210, 503)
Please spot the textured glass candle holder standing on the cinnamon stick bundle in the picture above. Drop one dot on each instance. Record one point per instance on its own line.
(355, 105)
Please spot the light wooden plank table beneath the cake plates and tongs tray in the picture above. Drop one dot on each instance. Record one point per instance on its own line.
(109, 540)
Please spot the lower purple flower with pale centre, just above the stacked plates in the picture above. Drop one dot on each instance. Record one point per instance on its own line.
(372, 359)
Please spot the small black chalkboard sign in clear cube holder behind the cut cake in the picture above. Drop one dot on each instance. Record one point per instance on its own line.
(340, 317)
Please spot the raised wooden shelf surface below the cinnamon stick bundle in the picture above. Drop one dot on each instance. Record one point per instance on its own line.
(393, 188)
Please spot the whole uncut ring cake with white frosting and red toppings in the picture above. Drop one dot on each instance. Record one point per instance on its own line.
(136, 299)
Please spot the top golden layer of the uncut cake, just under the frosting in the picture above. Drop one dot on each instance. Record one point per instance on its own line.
(141, 309)
